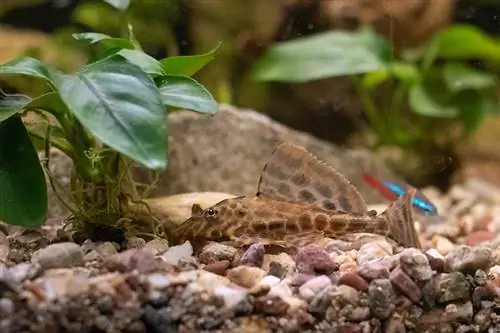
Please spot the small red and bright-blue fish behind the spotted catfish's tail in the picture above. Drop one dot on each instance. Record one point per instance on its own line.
(394, 189)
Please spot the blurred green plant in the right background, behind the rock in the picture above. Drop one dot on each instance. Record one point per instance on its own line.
(446, 96)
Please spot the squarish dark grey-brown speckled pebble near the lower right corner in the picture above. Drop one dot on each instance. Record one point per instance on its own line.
(452, 287)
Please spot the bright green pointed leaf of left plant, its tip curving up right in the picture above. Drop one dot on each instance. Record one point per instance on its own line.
(188, 65)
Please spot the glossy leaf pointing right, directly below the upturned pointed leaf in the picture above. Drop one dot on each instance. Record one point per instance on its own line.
(185, 93)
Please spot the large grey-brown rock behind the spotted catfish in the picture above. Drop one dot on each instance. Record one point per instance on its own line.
(226, 153)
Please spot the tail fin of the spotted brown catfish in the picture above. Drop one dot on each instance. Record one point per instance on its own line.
(399, 216)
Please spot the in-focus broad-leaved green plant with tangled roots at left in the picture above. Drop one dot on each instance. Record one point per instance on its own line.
(106, 116)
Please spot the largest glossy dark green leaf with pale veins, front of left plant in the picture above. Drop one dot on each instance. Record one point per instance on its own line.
(120, 105)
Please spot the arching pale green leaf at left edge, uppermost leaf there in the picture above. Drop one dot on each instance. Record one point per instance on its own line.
(26, 66)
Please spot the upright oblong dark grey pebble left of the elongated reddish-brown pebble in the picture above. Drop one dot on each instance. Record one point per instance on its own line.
(381, 297)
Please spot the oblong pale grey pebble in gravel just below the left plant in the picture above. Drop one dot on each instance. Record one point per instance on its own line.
(59, 255)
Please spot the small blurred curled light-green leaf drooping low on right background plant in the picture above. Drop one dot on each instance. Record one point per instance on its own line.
(428, 103)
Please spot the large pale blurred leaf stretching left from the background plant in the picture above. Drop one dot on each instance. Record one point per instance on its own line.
(323, 55)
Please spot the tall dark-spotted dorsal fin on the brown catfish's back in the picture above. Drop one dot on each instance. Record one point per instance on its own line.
(292, 173)
